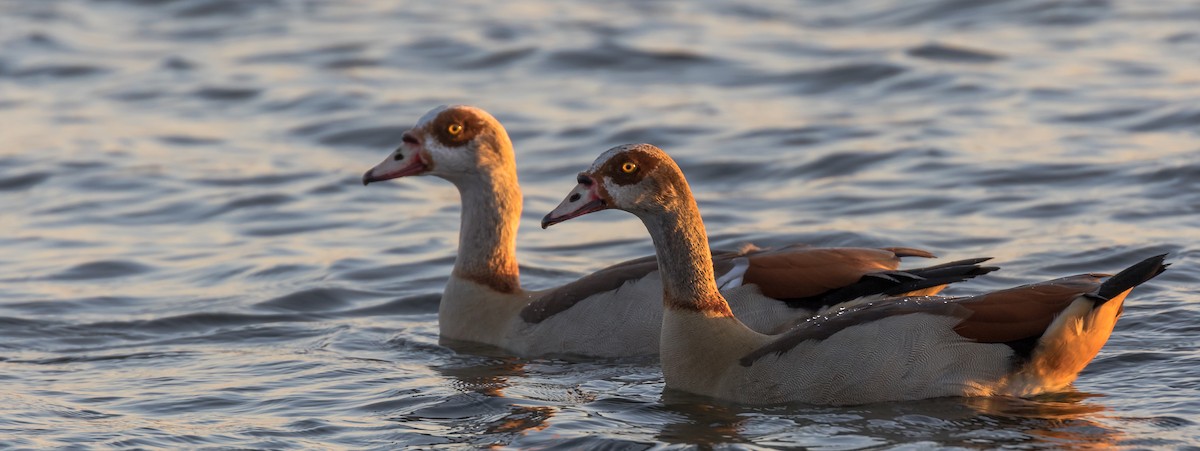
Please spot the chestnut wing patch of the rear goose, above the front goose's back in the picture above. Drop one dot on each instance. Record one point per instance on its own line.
(796, 272)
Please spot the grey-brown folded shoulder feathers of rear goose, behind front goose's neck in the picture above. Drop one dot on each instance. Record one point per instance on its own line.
(561, 299)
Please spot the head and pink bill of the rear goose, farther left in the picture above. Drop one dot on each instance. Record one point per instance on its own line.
(452, 142)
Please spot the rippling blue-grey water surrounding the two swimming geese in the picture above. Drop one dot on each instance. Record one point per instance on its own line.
(190, 260)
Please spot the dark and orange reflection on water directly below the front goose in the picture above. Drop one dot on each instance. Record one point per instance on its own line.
(1061, 420)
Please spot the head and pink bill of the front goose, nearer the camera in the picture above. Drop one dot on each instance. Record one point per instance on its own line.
(637, 178)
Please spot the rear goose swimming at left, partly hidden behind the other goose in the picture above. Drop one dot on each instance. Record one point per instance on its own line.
(613, 312)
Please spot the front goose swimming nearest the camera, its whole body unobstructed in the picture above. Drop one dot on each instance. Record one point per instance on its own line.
(1016, 342)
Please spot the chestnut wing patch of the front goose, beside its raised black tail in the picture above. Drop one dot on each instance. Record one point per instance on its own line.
(1022, 312)
